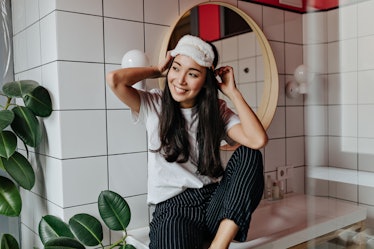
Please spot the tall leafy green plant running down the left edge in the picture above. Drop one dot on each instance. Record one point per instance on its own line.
(26, 100)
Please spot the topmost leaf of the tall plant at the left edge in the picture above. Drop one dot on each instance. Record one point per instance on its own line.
(19, 88)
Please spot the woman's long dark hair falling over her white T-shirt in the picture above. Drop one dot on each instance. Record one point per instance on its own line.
(175, 144)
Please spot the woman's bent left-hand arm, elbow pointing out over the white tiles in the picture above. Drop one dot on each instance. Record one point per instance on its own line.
(122, 80)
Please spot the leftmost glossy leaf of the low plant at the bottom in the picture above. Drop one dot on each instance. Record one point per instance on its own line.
(52, 227)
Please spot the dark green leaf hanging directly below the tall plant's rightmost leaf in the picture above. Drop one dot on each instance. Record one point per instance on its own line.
(26, 126)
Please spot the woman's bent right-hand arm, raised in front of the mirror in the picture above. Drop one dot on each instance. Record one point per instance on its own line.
(250, 131)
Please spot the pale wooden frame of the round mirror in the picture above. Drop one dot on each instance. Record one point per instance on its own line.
(269, 99)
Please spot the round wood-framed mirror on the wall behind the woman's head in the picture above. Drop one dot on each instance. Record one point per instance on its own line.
(241, 44)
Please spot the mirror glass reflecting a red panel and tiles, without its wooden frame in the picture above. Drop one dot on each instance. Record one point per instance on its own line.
(236, 43)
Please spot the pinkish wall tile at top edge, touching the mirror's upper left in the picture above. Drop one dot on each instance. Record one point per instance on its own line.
(166, 15)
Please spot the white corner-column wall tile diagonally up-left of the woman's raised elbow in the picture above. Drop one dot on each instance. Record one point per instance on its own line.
(79, 37)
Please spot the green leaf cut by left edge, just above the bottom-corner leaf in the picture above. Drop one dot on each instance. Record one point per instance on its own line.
(10, 199)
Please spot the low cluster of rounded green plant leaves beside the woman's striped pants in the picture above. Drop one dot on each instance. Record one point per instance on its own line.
(84, 229)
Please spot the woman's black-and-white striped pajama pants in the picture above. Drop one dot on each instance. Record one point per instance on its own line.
(191, 219)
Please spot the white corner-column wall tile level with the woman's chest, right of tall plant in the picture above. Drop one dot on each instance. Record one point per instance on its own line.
(83, 133)
